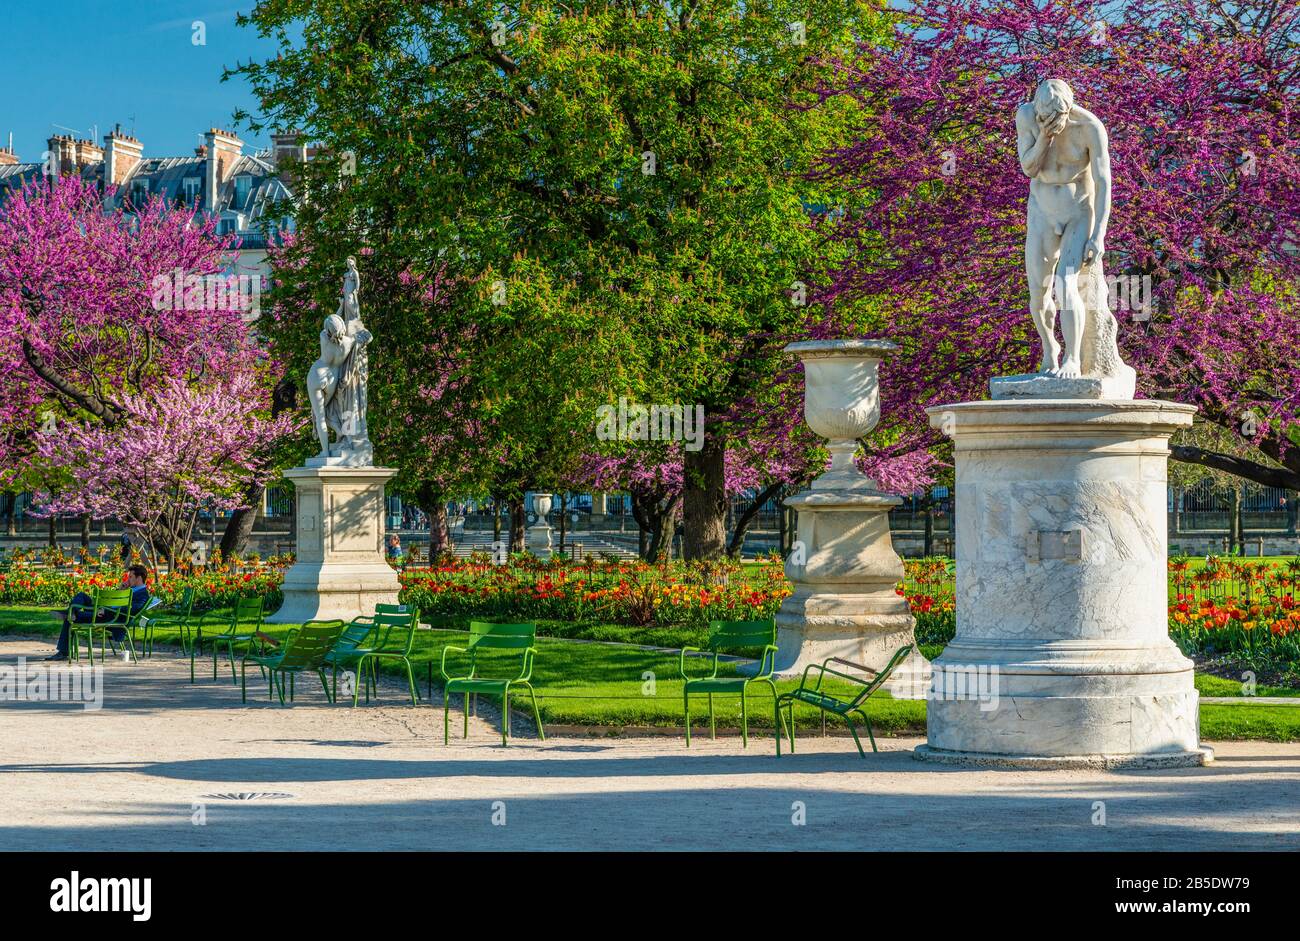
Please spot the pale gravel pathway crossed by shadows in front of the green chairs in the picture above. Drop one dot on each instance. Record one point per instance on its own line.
(158, 766)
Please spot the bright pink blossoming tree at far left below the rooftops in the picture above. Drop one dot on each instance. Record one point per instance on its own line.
(83, 322)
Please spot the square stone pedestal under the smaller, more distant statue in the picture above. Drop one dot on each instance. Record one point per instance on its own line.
(340, 570)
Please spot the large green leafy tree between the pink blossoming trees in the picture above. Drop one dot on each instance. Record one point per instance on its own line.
(625, 184)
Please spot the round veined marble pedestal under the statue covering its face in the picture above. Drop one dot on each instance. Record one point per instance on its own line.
(1063, 653)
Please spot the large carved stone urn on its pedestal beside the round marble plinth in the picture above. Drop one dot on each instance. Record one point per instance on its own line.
(844, 569)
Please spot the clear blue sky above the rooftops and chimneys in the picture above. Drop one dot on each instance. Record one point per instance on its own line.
(85, 63)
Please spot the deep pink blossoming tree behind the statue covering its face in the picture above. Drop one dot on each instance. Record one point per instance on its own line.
(1202, 109)
